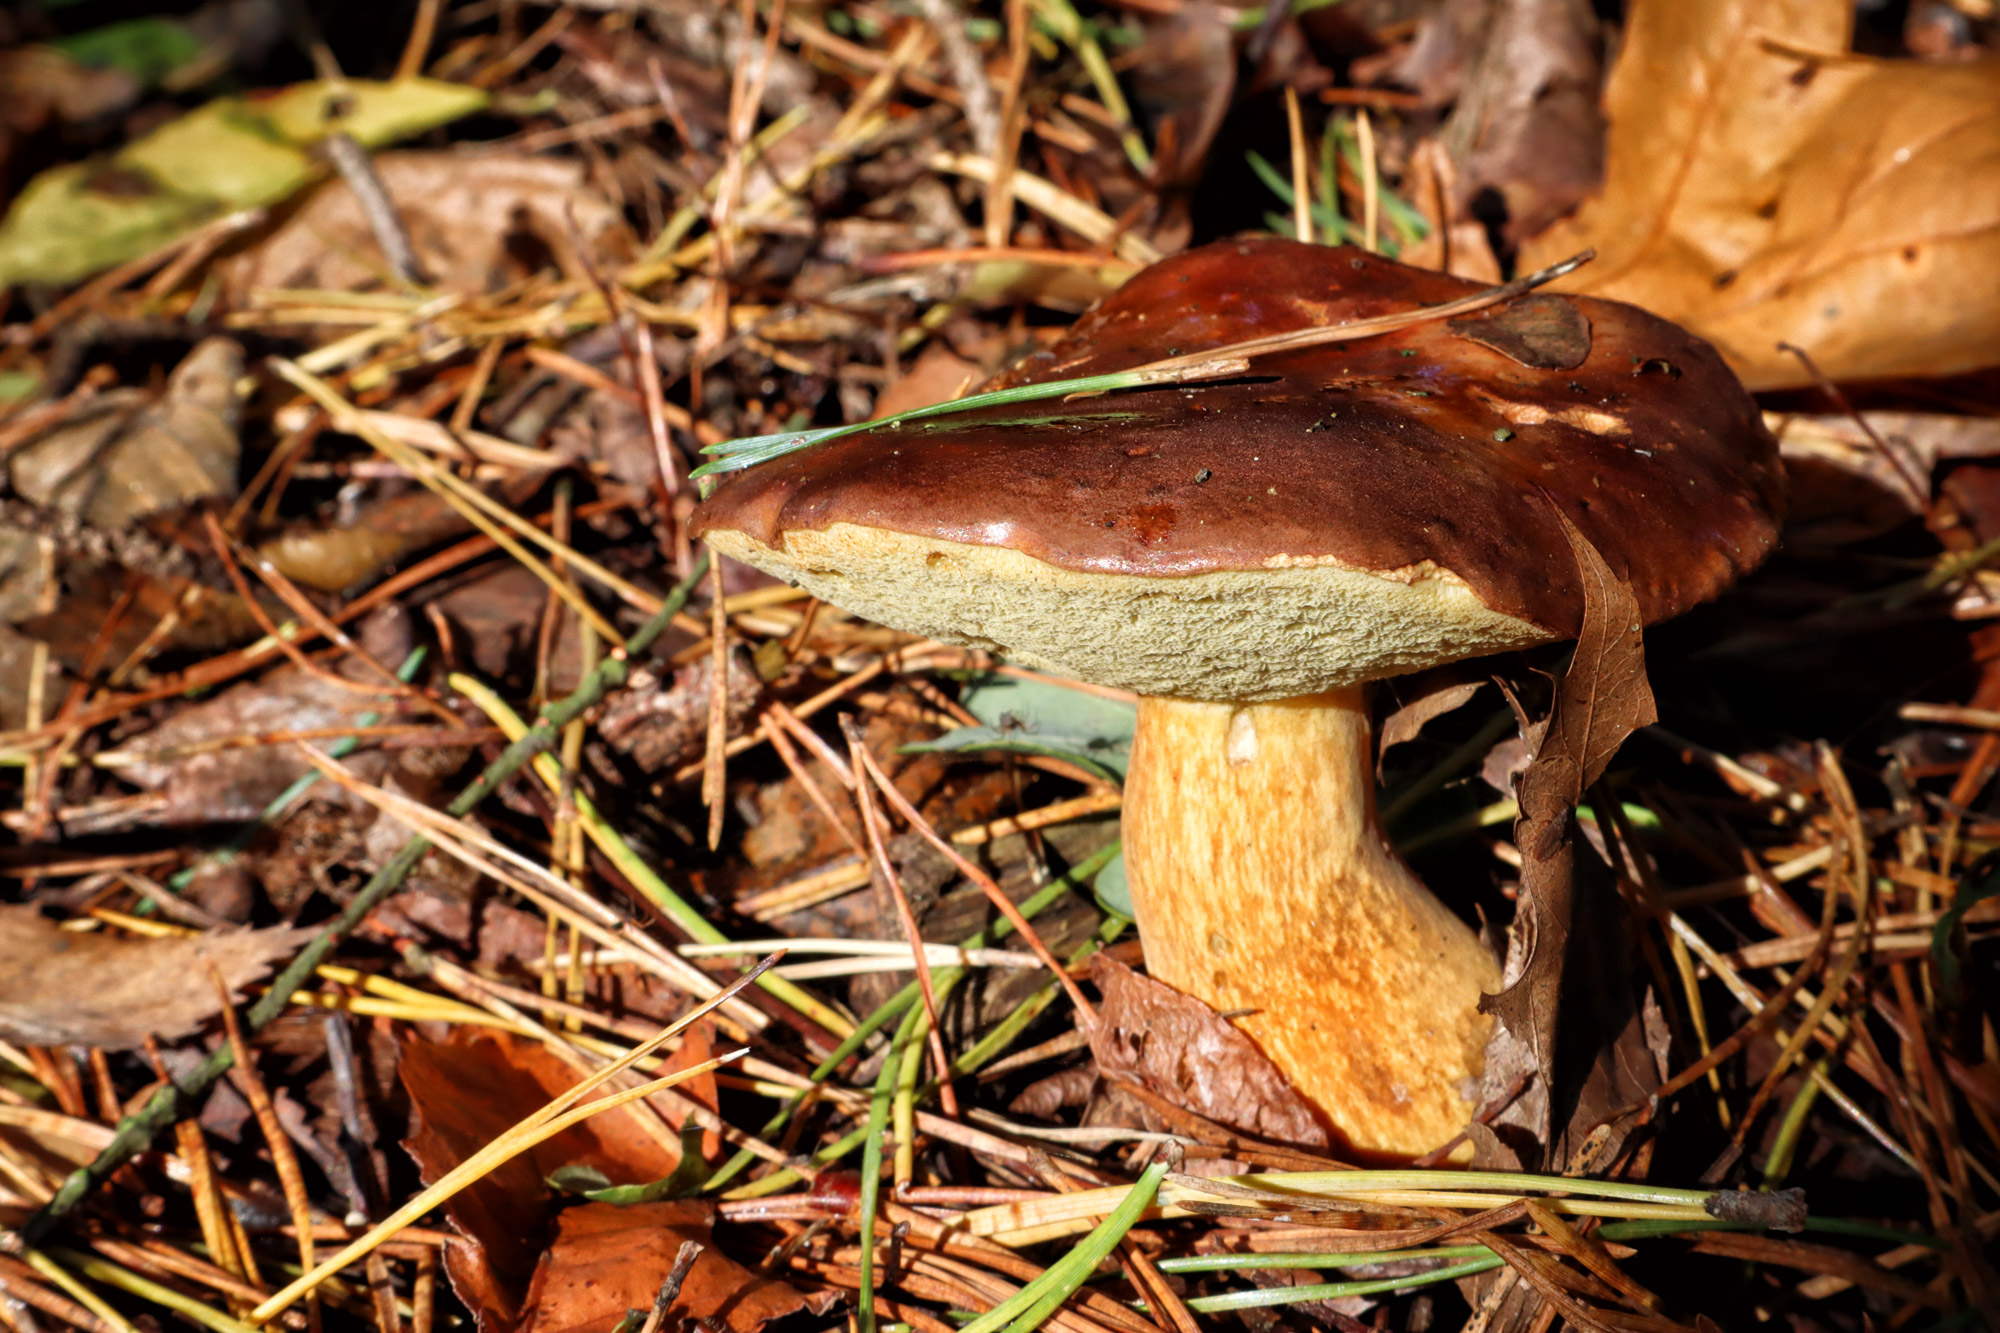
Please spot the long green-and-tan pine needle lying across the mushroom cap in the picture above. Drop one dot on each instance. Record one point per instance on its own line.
(1229, 359)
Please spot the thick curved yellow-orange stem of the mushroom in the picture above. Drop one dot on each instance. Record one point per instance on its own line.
(1265, 884)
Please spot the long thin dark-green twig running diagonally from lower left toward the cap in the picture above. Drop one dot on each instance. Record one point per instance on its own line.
(169, 1104)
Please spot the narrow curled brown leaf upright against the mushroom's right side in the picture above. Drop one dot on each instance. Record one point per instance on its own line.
(1603, 700)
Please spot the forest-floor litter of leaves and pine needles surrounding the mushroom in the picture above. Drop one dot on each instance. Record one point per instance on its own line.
(583, 245)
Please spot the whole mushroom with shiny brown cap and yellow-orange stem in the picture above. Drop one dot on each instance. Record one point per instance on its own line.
(1249, 555)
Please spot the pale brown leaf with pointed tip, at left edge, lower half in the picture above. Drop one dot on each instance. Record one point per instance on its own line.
(95, 990)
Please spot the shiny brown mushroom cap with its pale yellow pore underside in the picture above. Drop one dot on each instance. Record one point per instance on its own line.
(1353, 509)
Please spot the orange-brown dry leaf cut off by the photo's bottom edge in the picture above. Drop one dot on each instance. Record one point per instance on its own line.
(609, 1260)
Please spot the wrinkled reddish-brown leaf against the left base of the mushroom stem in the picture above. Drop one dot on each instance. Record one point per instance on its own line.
(1183, 1050)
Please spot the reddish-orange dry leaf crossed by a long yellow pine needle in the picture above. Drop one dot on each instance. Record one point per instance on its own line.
(473, 1088)
